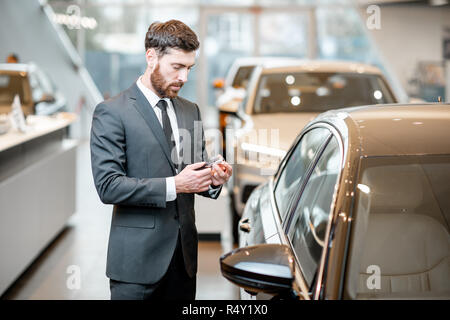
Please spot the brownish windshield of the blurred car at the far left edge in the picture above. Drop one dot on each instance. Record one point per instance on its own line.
(10, 85)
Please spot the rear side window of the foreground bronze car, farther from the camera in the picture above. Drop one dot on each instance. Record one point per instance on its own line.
(291, 178)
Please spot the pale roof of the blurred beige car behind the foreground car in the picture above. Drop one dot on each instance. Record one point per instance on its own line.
(324, 66)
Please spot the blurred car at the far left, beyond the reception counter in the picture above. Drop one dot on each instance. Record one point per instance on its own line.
(37, 93)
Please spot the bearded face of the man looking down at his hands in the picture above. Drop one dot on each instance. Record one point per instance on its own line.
(171, 72)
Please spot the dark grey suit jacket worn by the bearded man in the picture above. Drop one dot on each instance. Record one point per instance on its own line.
(130, 161)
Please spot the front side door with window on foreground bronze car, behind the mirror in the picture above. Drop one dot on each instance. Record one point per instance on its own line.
(307, 225)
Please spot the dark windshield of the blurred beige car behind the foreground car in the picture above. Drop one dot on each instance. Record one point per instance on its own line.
(318, 92)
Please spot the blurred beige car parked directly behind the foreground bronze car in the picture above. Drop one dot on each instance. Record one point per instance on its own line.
(280, 101)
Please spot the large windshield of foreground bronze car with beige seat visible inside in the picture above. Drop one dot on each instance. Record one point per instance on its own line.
(402, 218)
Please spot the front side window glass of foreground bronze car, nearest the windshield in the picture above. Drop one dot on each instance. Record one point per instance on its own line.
(311, 216)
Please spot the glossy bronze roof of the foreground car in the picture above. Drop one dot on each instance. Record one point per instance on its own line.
(396, 129)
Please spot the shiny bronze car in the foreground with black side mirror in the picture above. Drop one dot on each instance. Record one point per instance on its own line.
(358, 209)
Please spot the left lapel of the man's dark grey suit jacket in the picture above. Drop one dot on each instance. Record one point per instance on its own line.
(144, 108)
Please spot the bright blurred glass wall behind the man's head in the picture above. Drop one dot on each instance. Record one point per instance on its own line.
(113, 51)
